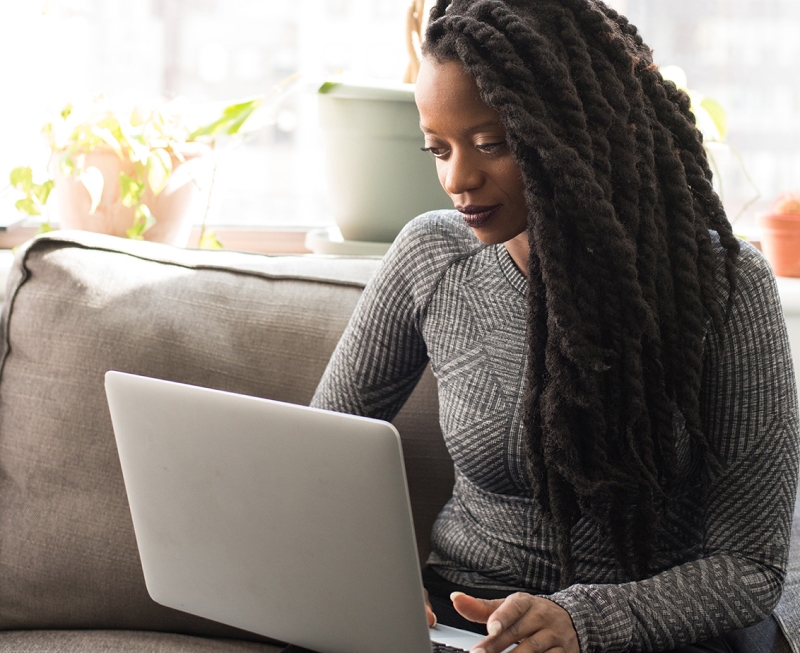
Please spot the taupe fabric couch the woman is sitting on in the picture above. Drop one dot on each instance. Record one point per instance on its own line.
(79, 304)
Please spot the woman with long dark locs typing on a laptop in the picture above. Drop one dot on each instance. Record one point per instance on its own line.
(614, 379)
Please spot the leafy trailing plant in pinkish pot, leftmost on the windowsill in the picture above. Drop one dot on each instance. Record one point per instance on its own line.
(131, 172)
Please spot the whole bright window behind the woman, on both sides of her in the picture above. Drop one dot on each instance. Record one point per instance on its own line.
(743, 53)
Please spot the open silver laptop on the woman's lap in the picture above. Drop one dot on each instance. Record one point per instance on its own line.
(283, 520)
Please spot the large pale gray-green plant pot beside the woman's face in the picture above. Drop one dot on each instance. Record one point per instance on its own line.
(377, 174)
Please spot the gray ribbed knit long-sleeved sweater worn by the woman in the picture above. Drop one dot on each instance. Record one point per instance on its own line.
(440, 296)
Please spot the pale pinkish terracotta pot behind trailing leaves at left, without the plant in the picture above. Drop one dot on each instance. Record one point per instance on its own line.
(170, 207)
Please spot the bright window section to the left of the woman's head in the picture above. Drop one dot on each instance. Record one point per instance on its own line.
(55, 51)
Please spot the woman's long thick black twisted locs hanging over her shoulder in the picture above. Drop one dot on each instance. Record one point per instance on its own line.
(621, 266)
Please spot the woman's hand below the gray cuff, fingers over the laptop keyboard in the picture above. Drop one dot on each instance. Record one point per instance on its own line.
(537, 624)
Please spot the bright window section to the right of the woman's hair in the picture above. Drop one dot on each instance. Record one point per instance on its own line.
(746, 55)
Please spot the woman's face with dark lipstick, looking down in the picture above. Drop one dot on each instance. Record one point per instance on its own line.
(473, 160)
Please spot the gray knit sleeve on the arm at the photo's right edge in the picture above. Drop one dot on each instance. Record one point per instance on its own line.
(749, 409)
